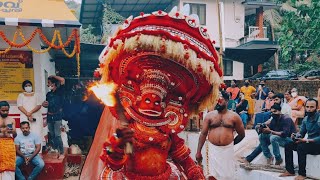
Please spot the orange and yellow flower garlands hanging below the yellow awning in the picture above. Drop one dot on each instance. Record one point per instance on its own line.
(74, 35)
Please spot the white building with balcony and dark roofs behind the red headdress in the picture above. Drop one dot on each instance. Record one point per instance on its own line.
(252, 49)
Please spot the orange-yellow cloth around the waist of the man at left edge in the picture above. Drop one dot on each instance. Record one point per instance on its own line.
(7, 155)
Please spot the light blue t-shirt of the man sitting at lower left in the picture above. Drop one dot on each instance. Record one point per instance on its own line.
(27, 143)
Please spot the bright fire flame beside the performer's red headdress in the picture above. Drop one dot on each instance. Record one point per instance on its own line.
(105, 92)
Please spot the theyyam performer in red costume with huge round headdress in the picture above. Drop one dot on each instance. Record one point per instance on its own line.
(157, 70)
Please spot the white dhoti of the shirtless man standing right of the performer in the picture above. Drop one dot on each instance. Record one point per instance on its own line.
(221, 162)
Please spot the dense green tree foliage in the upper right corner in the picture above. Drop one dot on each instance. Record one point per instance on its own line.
(299, 31)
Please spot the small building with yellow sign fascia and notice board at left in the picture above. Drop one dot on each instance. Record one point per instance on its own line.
(46, 15)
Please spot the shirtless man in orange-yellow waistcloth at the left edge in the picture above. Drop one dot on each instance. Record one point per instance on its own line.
(7, 148)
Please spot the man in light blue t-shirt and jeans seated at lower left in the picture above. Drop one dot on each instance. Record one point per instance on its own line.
(28, 146)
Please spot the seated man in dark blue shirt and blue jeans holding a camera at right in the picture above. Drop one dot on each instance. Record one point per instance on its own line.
(277, 132)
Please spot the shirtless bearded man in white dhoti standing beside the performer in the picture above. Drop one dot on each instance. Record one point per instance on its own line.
(221, 124)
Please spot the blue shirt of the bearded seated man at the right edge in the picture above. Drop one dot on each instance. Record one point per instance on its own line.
(312, 127)
